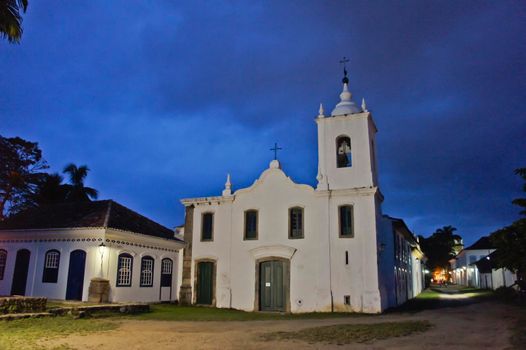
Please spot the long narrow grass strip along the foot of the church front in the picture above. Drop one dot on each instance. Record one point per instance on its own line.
(168, 312)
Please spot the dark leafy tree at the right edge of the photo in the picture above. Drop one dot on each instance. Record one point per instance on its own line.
(510, 241)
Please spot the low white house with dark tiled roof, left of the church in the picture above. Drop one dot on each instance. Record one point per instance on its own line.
(81, 251)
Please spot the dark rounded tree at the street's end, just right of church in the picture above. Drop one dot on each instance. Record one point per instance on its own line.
(440, 247)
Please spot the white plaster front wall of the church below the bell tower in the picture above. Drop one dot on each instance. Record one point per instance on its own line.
(312, 271)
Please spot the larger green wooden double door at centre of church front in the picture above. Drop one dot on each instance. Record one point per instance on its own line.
(271, 286)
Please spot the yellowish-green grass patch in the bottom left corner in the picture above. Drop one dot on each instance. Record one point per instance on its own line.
(29, 333)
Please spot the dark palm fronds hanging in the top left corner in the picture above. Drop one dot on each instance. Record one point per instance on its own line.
(11, 20)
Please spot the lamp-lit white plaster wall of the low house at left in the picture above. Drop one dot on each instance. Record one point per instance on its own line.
(40, 244)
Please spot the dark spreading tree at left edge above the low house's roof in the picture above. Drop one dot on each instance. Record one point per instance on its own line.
(21, 164)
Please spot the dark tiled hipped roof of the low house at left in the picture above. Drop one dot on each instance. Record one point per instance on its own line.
(106, 213)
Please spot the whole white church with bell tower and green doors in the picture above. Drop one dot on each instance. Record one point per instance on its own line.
(282, 246)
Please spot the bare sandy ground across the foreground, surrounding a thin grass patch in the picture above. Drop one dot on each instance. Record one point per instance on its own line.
(477, 326)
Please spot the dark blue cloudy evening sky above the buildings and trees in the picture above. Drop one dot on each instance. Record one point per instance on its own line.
(161, 99)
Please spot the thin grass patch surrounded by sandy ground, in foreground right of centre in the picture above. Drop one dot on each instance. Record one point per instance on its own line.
(352, 333)
